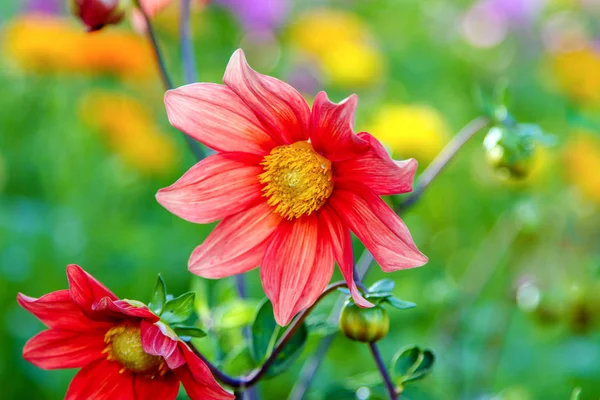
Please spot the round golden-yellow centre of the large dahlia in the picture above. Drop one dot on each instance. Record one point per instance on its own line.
(297, 179)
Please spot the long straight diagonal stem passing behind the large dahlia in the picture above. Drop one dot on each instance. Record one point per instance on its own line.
(365, 260)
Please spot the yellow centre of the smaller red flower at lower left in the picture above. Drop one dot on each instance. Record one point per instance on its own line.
(124, 345)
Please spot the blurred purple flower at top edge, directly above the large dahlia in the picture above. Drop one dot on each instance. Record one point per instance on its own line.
(257, 15)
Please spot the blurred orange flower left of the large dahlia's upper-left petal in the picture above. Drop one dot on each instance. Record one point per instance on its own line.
(130, 131)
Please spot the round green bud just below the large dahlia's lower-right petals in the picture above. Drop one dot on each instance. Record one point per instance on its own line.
(364, 324)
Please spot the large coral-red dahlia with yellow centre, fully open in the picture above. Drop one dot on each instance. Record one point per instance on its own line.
(288, 183)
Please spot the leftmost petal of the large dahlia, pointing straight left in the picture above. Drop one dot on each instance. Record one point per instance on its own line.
(216, 187)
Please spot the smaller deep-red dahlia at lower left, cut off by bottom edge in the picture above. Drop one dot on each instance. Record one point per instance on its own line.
(122, 348)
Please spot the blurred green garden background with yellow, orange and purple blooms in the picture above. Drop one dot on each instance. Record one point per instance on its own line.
(510, 299)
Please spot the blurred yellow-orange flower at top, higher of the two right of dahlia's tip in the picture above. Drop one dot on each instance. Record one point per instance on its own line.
(341, 45)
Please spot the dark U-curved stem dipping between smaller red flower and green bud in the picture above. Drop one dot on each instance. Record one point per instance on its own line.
(252, 378)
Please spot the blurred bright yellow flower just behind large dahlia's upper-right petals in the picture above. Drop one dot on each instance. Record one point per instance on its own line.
(410, 131)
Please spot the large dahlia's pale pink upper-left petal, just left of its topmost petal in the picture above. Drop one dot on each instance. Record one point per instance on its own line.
(216, 116)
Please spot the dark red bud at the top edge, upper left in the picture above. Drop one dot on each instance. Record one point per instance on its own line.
(95, 14)
